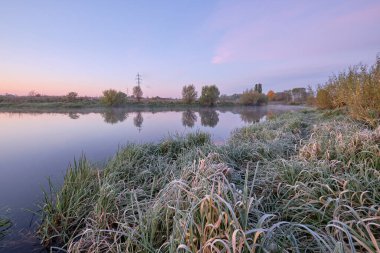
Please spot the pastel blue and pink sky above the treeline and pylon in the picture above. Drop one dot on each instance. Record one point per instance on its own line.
(87, 46)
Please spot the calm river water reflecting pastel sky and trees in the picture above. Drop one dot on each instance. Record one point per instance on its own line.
(36, 146)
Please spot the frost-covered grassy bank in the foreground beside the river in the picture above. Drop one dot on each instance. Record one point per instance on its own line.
(300, 182)
